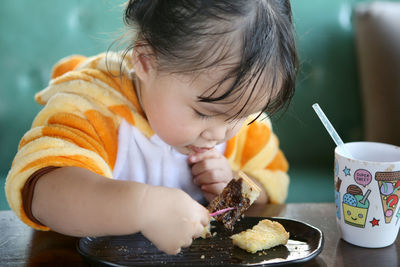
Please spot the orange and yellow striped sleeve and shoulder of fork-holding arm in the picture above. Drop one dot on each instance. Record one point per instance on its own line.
(85, 102)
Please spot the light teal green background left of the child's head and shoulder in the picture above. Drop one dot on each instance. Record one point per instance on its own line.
(34, 35)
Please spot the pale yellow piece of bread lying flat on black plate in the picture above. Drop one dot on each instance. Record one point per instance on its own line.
(266, 234)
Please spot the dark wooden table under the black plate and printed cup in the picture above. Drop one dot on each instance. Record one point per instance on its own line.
(20, 245)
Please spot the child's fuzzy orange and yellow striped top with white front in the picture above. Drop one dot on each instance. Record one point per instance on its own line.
(92, 119)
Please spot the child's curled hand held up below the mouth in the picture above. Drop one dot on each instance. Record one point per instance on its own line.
(211, 171)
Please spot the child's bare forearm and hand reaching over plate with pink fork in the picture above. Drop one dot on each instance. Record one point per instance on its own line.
(78, 202)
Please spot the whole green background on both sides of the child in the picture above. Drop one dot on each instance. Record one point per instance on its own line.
(35, 34)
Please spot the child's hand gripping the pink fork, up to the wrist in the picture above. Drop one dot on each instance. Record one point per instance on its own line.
(171, 218)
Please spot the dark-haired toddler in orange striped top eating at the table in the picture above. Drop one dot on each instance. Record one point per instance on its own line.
(171, 119)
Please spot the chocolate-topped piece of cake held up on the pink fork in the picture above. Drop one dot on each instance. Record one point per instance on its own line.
(239, 193)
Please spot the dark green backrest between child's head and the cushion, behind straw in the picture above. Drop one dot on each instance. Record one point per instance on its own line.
(328, 76)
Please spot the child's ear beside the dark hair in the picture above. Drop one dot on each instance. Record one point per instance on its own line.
(143, 62)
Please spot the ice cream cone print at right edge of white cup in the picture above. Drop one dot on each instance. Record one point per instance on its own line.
(389, 189)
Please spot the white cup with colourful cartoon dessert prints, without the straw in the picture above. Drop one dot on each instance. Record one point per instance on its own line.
(367, 193)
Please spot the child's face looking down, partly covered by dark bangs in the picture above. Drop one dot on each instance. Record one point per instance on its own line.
(172, 107)
